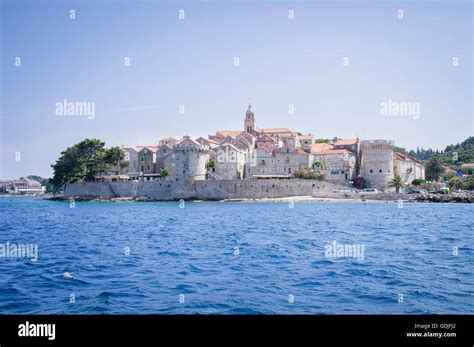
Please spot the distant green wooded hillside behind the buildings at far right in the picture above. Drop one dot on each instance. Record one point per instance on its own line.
(464, 150)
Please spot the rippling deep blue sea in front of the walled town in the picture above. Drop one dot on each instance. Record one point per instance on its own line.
(236, 258)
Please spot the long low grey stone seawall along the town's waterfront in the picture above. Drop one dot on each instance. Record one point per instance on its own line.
(199, 190)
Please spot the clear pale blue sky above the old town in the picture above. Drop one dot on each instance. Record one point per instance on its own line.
(334, 62)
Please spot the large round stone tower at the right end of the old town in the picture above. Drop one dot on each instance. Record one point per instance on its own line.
(377, 162)
